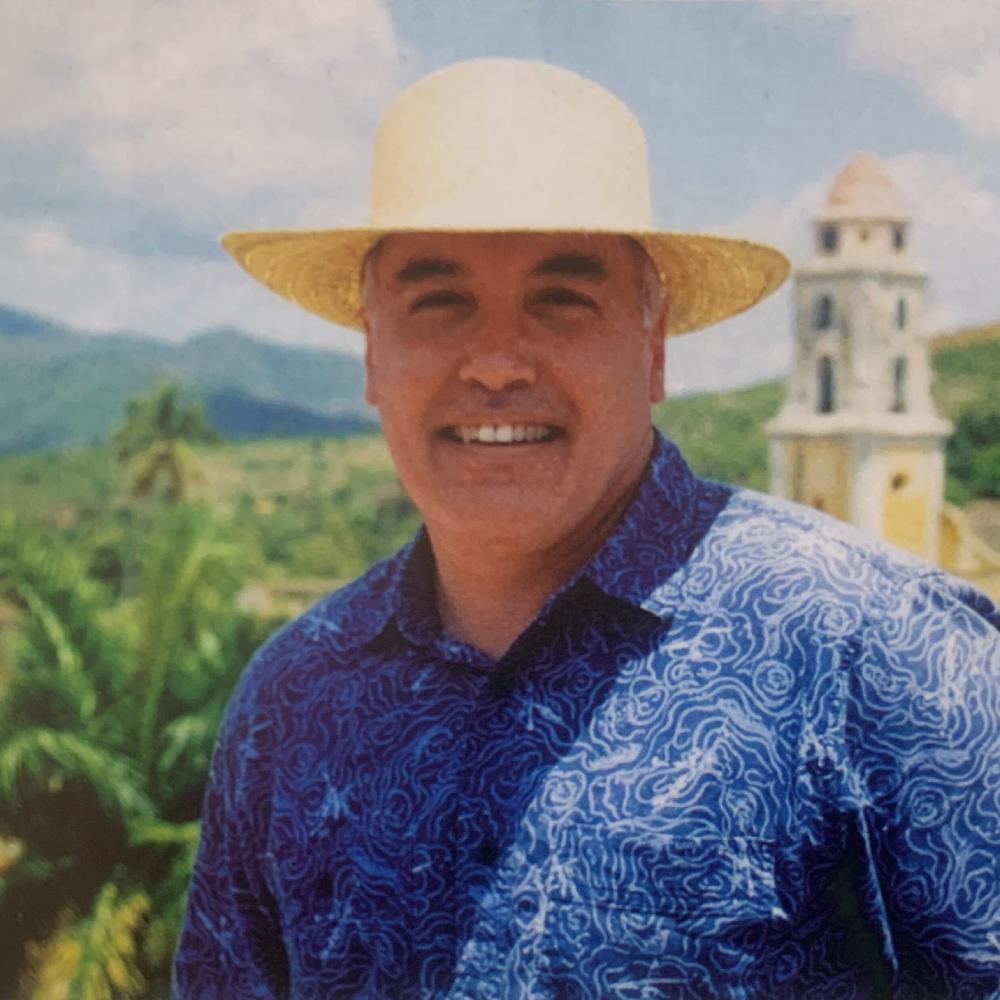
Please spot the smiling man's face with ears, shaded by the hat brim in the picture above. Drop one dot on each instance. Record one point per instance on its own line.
(514, 374)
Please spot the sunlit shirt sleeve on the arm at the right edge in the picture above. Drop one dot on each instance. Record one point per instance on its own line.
(924, 725)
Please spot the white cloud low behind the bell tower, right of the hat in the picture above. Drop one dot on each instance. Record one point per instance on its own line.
(956, 236)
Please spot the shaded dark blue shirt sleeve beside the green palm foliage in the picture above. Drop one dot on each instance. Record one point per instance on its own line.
(230, 940)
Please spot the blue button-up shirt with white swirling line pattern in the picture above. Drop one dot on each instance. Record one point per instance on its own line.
(744, 752)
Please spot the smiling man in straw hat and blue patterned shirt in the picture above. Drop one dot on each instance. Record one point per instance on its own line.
(603, 728)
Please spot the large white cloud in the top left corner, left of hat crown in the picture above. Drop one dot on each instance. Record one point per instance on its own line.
(229, 113)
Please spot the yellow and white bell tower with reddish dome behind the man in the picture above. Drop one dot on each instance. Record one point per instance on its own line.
(858, 435)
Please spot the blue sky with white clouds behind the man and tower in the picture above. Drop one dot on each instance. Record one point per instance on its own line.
(134, 132)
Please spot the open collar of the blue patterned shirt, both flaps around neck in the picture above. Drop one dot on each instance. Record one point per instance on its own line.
(666, 519)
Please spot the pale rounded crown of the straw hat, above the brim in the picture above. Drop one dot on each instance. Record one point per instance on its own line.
(509, 144)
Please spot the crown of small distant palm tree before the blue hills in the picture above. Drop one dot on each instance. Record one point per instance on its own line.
(156, 438)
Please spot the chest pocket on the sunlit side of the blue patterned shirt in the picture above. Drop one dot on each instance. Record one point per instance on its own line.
(682, 916)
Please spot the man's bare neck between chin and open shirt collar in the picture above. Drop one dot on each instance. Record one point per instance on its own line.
(490, 600)
